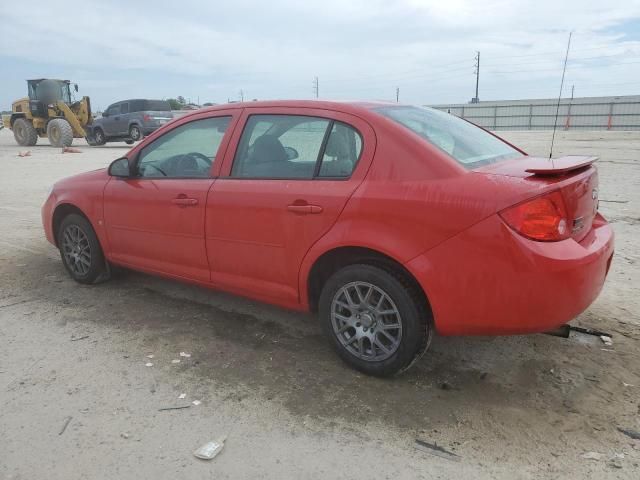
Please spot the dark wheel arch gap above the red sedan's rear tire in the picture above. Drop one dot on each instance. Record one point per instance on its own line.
(339, 257)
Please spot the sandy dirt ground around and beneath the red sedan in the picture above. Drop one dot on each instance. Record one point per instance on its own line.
(527, 407)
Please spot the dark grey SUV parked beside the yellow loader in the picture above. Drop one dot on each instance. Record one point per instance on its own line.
(130, 121)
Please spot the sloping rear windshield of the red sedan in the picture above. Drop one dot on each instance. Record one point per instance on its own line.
(469, 145)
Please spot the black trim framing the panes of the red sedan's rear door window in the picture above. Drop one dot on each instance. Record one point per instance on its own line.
(321, 152)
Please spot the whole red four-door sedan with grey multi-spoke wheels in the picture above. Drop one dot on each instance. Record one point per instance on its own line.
(393, 222)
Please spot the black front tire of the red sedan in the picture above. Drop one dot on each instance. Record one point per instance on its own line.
(97, 269)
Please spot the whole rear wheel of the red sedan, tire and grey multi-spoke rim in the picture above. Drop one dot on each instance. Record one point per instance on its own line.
(376, 320)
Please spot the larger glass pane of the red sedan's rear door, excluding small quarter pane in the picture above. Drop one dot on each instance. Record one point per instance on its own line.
(280, 146)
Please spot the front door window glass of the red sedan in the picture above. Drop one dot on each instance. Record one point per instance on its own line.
(187, 151)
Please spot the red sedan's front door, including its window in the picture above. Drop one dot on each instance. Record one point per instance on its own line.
(155, 220)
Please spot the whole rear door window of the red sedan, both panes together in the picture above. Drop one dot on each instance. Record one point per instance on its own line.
(296, 147)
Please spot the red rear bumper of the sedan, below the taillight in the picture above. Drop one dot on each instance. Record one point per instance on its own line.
(489, 280)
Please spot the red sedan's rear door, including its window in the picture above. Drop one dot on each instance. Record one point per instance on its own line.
(282, 188)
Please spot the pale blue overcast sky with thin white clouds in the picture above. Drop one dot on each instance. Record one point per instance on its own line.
(359, 49)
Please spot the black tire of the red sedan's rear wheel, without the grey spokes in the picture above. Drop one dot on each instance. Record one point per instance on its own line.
(413, 314)
